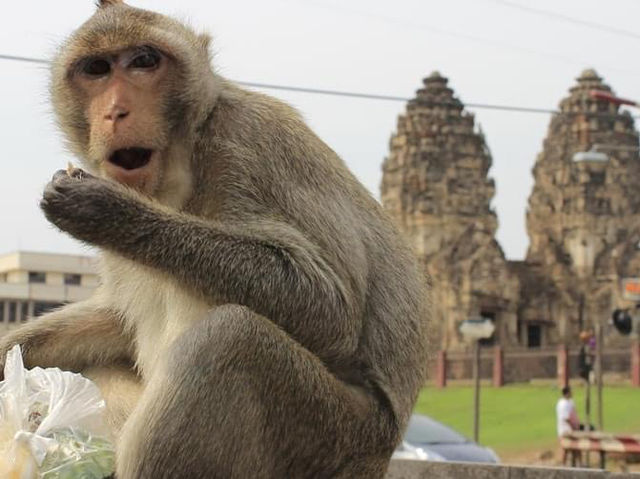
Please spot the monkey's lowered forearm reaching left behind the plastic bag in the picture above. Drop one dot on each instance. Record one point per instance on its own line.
(74, 337)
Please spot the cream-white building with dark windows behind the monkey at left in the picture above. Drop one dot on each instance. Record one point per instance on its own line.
(34, 283)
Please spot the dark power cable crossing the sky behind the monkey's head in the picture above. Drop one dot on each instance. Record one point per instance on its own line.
(365, 96)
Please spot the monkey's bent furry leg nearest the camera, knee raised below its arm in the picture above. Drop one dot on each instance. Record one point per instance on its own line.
(238, 398)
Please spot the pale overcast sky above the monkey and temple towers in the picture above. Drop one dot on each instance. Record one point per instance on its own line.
(491, 52)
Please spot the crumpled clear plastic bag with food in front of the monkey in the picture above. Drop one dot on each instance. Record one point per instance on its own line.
(51, 424)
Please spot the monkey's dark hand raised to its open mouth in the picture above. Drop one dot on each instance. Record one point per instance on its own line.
(85, 206)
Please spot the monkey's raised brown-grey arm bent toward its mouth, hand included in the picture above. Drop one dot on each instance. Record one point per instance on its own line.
(265, 265)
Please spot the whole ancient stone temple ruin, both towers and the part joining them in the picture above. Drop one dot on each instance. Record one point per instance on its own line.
(582, 218)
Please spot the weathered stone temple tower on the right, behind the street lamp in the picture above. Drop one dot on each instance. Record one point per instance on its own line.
(582, 218)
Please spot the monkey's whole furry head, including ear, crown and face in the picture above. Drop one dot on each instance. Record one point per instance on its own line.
(131, 89)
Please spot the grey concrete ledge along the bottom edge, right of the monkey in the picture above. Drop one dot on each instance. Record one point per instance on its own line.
(402, 469)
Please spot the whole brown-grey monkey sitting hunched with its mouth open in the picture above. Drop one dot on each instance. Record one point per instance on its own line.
(258, 315)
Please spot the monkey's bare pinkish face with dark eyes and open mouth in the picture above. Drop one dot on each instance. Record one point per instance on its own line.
(124, 99)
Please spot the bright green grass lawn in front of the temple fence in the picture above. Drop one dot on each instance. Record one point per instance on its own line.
(522, 417)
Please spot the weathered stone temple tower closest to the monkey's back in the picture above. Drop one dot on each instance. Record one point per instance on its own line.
(436, 189)
